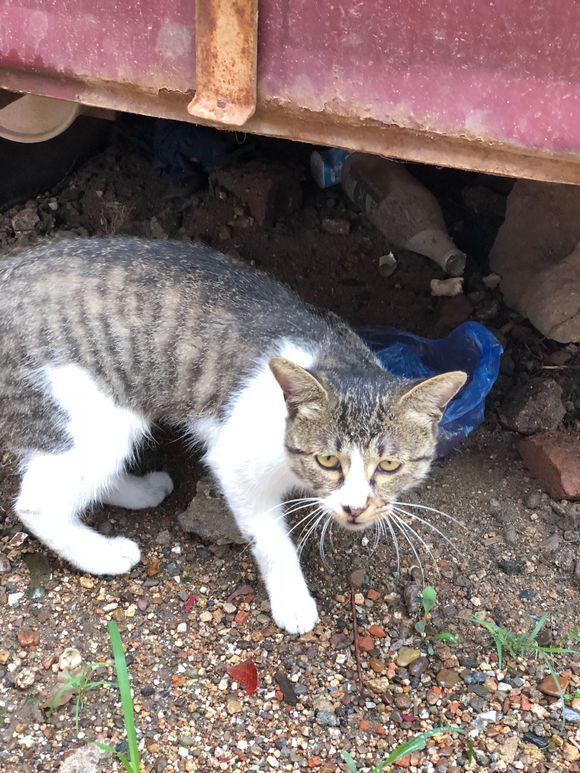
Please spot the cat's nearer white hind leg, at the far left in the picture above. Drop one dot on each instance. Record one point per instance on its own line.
(57, 487)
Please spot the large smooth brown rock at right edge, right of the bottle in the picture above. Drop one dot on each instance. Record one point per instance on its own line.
(535, 254)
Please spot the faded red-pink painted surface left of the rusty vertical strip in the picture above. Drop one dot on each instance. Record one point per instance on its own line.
(148, 44)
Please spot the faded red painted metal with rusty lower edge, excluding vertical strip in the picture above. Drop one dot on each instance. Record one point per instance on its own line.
(491, 84)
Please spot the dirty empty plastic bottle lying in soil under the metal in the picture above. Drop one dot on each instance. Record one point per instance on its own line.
(401, 208)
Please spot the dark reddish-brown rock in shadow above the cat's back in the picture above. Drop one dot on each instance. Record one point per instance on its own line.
(270, 191)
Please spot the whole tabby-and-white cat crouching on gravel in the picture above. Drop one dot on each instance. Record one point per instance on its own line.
(102, 337)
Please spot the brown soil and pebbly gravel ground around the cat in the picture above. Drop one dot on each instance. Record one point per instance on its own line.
(515, 558)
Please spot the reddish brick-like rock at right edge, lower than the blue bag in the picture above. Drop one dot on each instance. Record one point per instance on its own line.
(554, 458)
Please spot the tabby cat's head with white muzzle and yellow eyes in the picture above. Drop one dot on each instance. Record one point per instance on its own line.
(359, 440)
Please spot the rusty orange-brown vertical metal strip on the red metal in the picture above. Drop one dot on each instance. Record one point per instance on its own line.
(226, 51)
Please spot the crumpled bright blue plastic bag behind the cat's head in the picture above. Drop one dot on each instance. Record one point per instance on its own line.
(470, 347)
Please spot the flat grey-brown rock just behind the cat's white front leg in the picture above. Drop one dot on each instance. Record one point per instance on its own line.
(209, 518)
